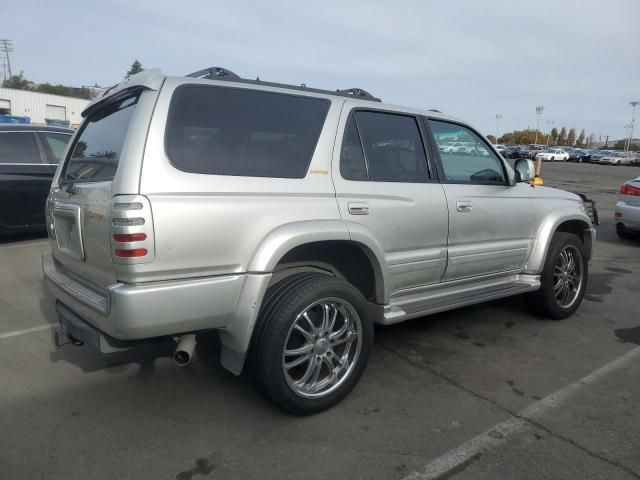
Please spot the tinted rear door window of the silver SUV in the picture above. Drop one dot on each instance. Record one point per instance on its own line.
(392, 146)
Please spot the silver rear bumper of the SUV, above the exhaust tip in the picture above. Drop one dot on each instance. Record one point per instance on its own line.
(154, 309)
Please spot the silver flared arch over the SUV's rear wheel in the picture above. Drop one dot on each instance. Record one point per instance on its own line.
(323, 245)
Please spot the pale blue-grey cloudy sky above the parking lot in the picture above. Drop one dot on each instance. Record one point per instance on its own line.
(580, 59)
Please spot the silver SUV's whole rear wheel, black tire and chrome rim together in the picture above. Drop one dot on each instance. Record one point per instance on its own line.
(313, 342)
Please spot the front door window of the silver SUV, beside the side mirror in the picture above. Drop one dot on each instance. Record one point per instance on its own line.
(466, 158)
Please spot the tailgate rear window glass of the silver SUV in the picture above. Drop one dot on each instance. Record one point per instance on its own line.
(96, 152)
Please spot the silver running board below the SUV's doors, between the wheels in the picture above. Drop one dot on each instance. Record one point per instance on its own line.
(401, 311)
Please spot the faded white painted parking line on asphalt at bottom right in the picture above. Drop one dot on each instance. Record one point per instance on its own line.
(456, 458)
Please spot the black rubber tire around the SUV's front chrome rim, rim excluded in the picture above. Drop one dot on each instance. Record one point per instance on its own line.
(544, 301)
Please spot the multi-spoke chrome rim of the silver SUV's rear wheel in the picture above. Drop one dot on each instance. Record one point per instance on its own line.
(322, 347)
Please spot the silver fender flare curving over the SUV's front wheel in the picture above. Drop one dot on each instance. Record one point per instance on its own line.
(547, 228)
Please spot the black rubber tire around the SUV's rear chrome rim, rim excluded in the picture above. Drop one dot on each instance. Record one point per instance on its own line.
(284, 302)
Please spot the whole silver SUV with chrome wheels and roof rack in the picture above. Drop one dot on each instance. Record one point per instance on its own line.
(290, 220)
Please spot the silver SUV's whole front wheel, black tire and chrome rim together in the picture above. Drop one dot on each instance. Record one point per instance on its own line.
(563, 280)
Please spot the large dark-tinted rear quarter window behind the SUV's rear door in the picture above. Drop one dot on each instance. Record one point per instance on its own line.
(231, 131)
